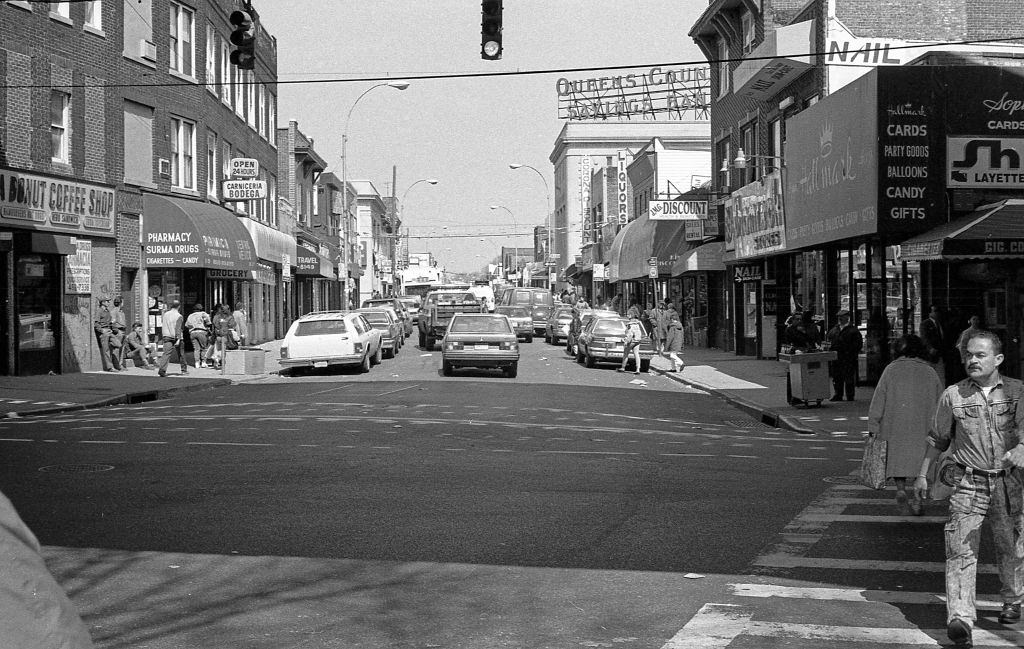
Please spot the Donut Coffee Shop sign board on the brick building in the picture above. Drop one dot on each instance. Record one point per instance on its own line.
(56, 205)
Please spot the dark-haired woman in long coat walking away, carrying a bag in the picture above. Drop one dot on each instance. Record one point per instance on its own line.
(902, 413)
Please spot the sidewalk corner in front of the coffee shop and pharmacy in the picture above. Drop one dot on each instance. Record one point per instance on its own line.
(21, 397)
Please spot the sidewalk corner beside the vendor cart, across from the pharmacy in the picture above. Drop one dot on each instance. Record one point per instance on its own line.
(759, 388)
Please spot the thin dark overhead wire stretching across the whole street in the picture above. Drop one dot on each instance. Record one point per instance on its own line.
(528, 73)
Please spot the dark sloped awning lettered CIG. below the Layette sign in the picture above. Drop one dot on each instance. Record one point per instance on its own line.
(994, 232)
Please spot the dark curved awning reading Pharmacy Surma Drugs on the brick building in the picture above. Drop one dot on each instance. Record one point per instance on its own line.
(183, 234)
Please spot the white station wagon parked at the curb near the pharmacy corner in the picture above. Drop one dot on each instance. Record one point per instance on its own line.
(326, 339)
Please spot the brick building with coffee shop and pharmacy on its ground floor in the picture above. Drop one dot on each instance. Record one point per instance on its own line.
(119, 123)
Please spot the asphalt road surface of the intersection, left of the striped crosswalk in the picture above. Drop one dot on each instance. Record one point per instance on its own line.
(569, 507)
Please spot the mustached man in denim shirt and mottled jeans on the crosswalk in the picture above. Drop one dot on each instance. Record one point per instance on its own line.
(982, 420)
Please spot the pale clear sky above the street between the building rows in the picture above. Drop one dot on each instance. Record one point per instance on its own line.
(462, 133)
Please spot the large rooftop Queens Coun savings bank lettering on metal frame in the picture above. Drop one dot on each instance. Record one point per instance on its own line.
(655, 95)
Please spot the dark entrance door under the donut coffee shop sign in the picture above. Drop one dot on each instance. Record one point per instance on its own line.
(38, 315)
